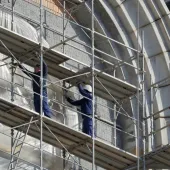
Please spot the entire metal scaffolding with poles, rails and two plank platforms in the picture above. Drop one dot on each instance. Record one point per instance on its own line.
(104, 85)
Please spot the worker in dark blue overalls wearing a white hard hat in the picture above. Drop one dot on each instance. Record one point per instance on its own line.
(86, 107)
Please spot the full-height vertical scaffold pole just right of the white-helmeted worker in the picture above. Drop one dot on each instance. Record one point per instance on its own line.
(92, 70)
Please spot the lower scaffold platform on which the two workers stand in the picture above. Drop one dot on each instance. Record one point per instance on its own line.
(59, 135)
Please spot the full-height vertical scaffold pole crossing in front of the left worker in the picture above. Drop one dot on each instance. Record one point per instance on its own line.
(41, 60)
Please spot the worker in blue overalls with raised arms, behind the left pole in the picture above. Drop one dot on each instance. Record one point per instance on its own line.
(35, 76)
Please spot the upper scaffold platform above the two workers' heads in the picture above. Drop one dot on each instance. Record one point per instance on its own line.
(25, 50)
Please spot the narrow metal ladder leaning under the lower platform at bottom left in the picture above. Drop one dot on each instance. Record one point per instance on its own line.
(17, 145)
